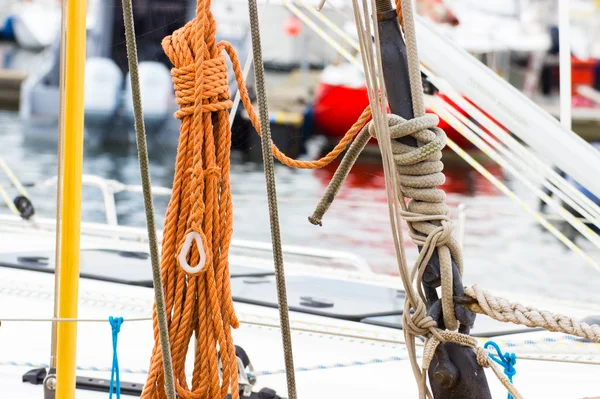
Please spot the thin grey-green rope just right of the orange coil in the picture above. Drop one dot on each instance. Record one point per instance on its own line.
(267, 153)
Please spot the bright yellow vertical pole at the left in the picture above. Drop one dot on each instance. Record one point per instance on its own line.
(71, 210)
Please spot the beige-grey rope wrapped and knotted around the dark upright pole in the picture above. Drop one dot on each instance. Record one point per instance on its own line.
(413, 172)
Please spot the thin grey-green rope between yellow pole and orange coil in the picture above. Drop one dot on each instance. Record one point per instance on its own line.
(140, 132)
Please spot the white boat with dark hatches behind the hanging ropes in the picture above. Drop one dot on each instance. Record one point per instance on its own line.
(342, 343)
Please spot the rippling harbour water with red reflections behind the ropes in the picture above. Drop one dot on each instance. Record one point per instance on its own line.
(504, 248)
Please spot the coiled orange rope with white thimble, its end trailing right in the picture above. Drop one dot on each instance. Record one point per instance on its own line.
(199, 219)
